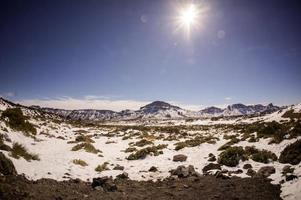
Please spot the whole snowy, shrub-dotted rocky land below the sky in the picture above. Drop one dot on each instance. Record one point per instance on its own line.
(250, 155)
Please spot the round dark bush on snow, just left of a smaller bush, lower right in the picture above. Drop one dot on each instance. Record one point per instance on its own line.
(231, 156)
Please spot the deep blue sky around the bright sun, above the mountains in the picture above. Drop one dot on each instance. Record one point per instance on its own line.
(127, 52)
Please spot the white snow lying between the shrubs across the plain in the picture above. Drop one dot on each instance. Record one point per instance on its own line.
(56, 155)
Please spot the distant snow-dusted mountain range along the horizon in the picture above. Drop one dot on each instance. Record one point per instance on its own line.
(154, 110)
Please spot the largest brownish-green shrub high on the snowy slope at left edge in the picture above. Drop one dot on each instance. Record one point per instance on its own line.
(17, 121)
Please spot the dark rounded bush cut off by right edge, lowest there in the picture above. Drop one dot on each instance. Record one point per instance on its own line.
(291, 154)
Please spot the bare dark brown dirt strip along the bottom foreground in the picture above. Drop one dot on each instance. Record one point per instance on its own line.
(206, 187)
